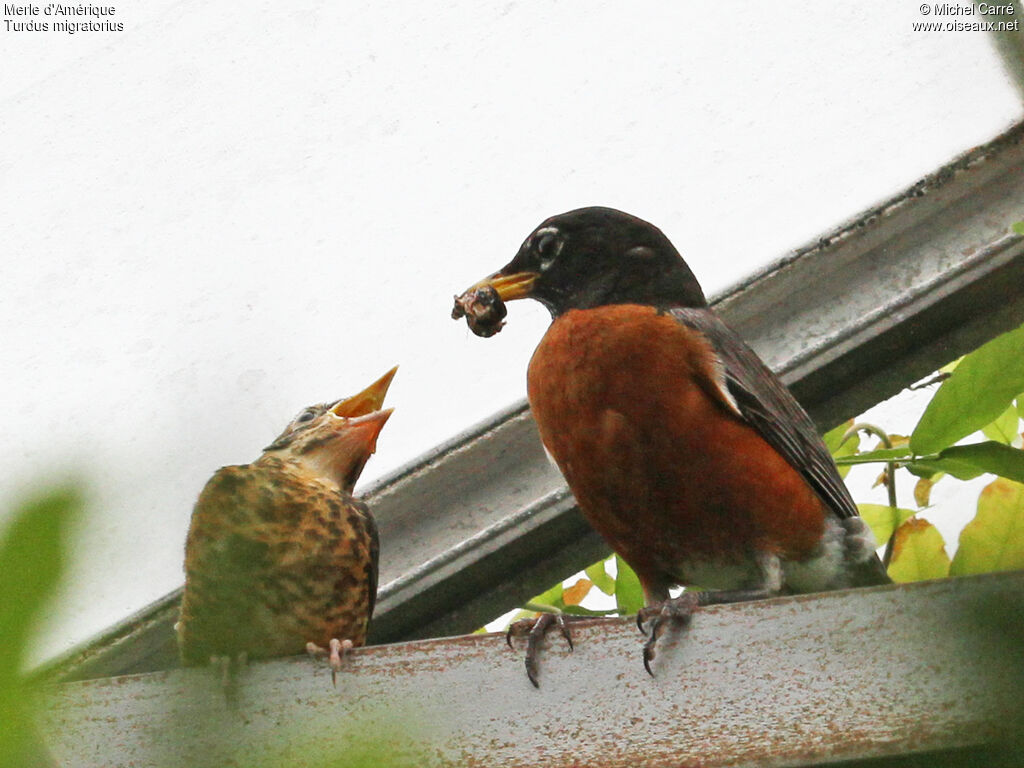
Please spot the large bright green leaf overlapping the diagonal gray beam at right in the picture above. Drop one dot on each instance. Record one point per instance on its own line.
(979, 391)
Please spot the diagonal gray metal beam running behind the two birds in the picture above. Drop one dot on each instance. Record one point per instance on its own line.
(484, 523)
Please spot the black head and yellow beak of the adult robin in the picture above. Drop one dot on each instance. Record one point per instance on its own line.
(592, 258)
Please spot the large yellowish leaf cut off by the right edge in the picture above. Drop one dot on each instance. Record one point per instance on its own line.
(995, 539)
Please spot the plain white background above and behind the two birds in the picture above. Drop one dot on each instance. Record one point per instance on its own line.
(223, 215)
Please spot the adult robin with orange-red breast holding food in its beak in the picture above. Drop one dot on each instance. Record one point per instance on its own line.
(684, 450)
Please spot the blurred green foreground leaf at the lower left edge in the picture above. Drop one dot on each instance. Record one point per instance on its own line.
(34, 553)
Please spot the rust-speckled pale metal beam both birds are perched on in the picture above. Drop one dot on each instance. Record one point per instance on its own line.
(932, 669)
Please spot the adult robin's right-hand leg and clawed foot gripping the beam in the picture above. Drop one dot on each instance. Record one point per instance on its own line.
(678, 611)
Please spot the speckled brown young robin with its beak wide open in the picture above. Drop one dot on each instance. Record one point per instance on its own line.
(281, 558)
